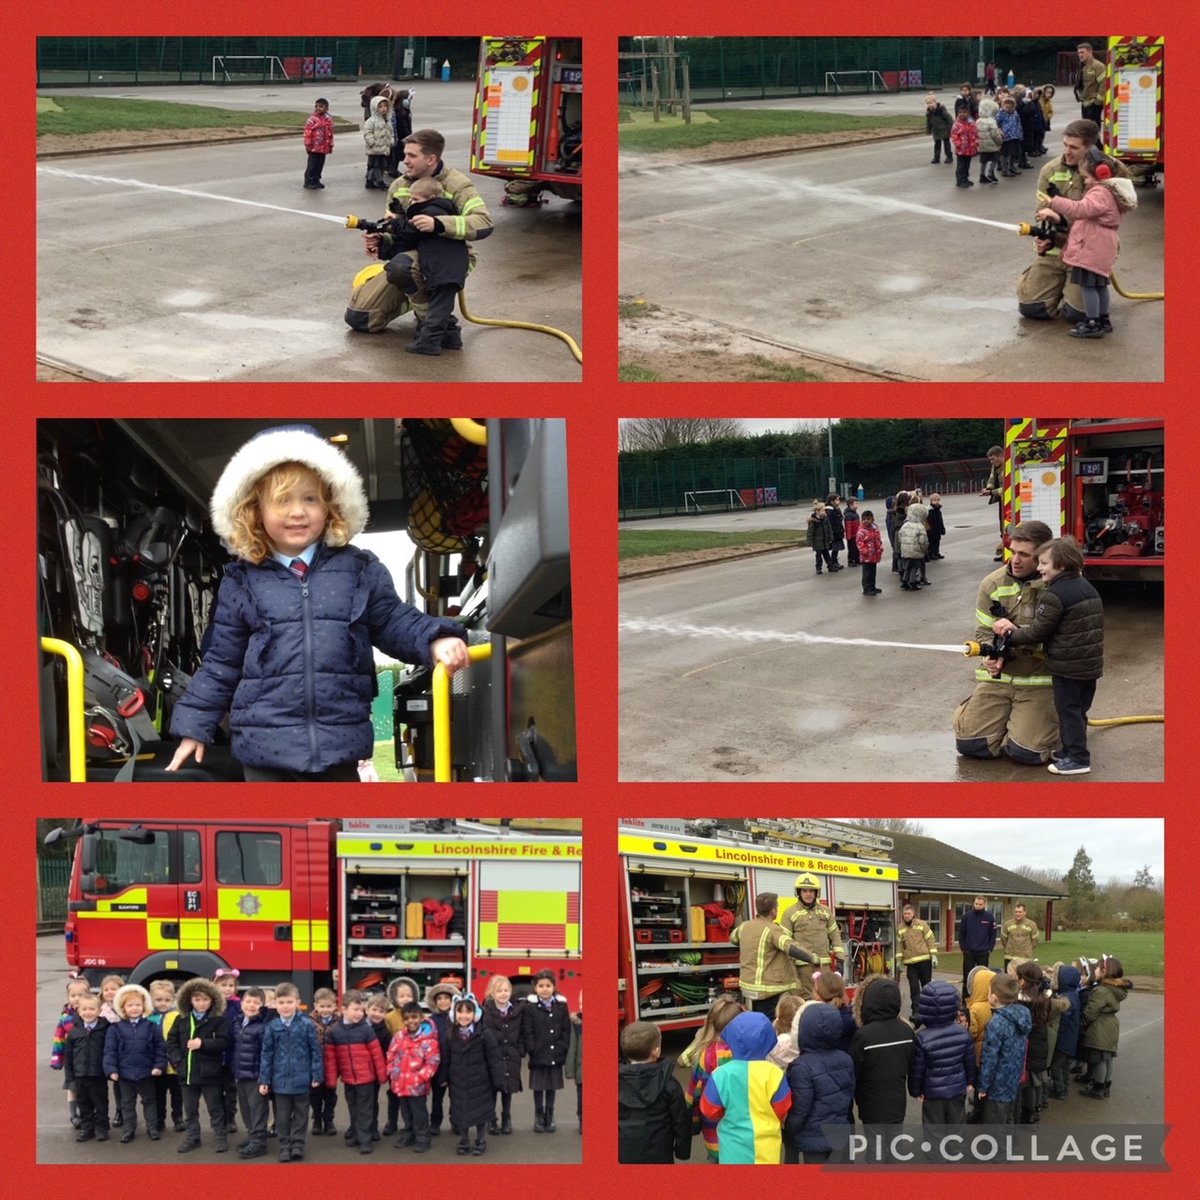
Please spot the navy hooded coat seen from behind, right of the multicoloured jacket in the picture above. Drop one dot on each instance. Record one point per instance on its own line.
(823, 1081)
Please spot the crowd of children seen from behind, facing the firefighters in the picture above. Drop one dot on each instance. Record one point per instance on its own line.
(763, 1093)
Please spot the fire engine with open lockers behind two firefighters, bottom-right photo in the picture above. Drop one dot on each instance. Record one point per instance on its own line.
(687, 884)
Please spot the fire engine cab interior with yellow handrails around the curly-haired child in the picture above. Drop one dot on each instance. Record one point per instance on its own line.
(129, 572)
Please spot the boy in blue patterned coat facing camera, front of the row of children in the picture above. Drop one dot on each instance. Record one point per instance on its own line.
(292, 1067)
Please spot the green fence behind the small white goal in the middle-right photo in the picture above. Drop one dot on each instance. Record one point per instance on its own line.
(691, 485)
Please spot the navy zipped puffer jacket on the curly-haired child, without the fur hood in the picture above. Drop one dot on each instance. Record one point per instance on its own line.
(291, 661)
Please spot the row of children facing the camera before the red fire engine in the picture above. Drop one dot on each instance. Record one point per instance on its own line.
(257, 1053)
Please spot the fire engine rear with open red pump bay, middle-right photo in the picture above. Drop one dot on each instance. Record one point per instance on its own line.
(1097, 479)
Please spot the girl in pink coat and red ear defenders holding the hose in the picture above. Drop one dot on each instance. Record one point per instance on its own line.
(1093, 242)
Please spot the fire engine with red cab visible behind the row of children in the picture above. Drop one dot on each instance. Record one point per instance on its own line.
(352, 903)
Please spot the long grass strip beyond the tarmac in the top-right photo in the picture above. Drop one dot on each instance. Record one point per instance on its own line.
(639, 133)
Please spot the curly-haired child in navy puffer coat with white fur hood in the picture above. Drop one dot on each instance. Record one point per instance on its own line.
(299, 689)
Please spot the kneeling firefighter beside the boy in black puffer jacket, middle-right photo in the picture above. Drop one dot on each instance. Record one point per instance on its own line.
(1011, 711)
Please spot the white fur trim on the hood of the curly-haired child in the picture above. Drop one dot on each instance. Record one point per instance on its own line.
(290, 443)
